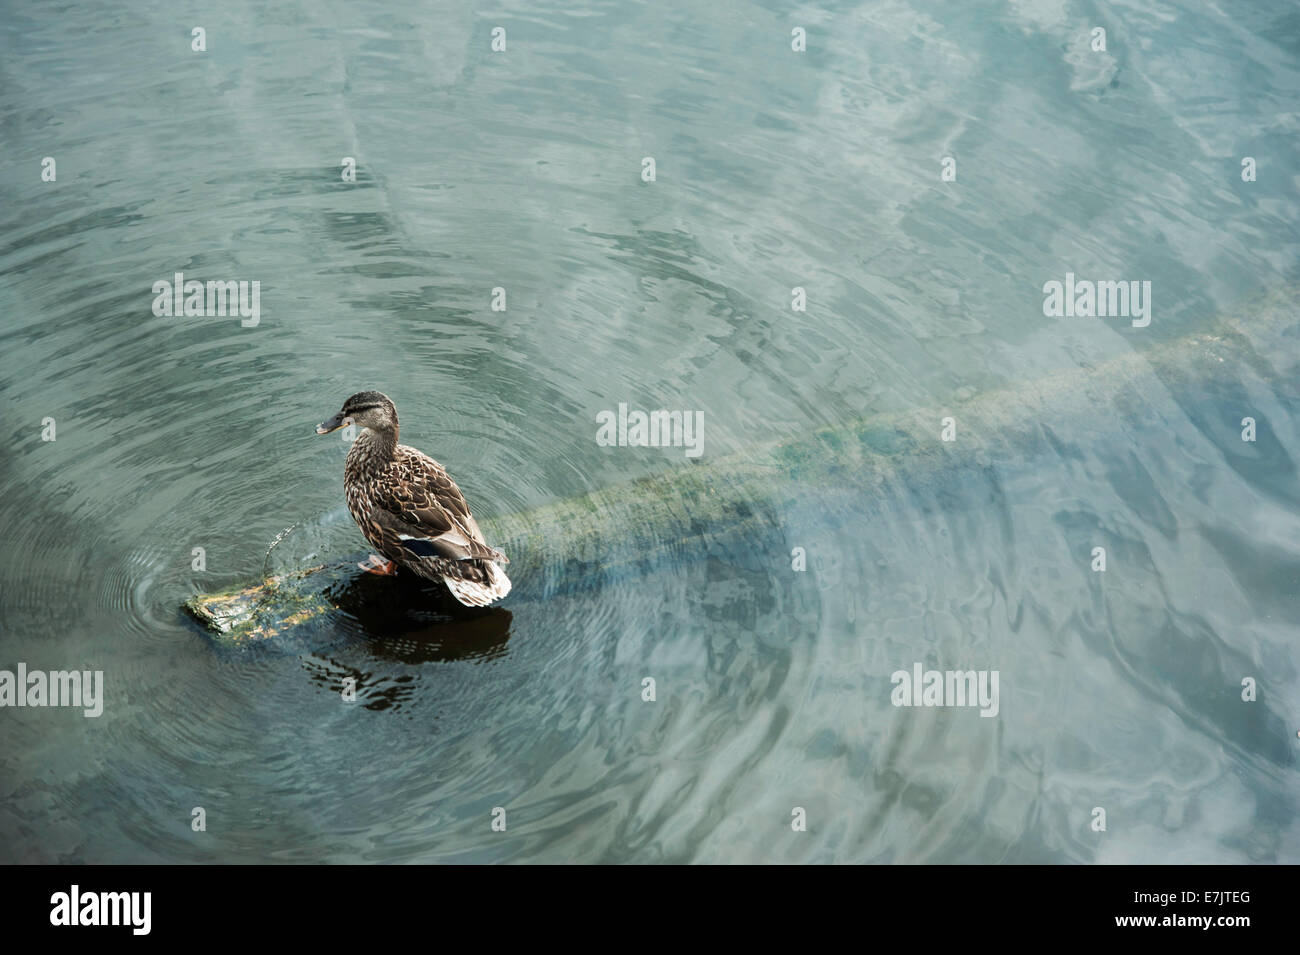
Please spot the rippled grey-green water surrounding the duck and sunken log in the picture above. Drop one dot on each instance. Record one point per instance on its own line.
(522, 171)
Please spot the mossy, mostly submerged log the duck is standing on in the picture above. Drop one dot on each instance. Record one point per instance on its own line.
(722, 505)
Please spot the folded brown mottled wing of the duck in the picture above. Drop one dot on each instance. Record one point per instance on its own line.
(422, 514)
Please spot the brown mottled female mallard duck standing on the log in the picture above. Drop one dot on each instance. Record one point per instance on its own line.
(410, 510)
